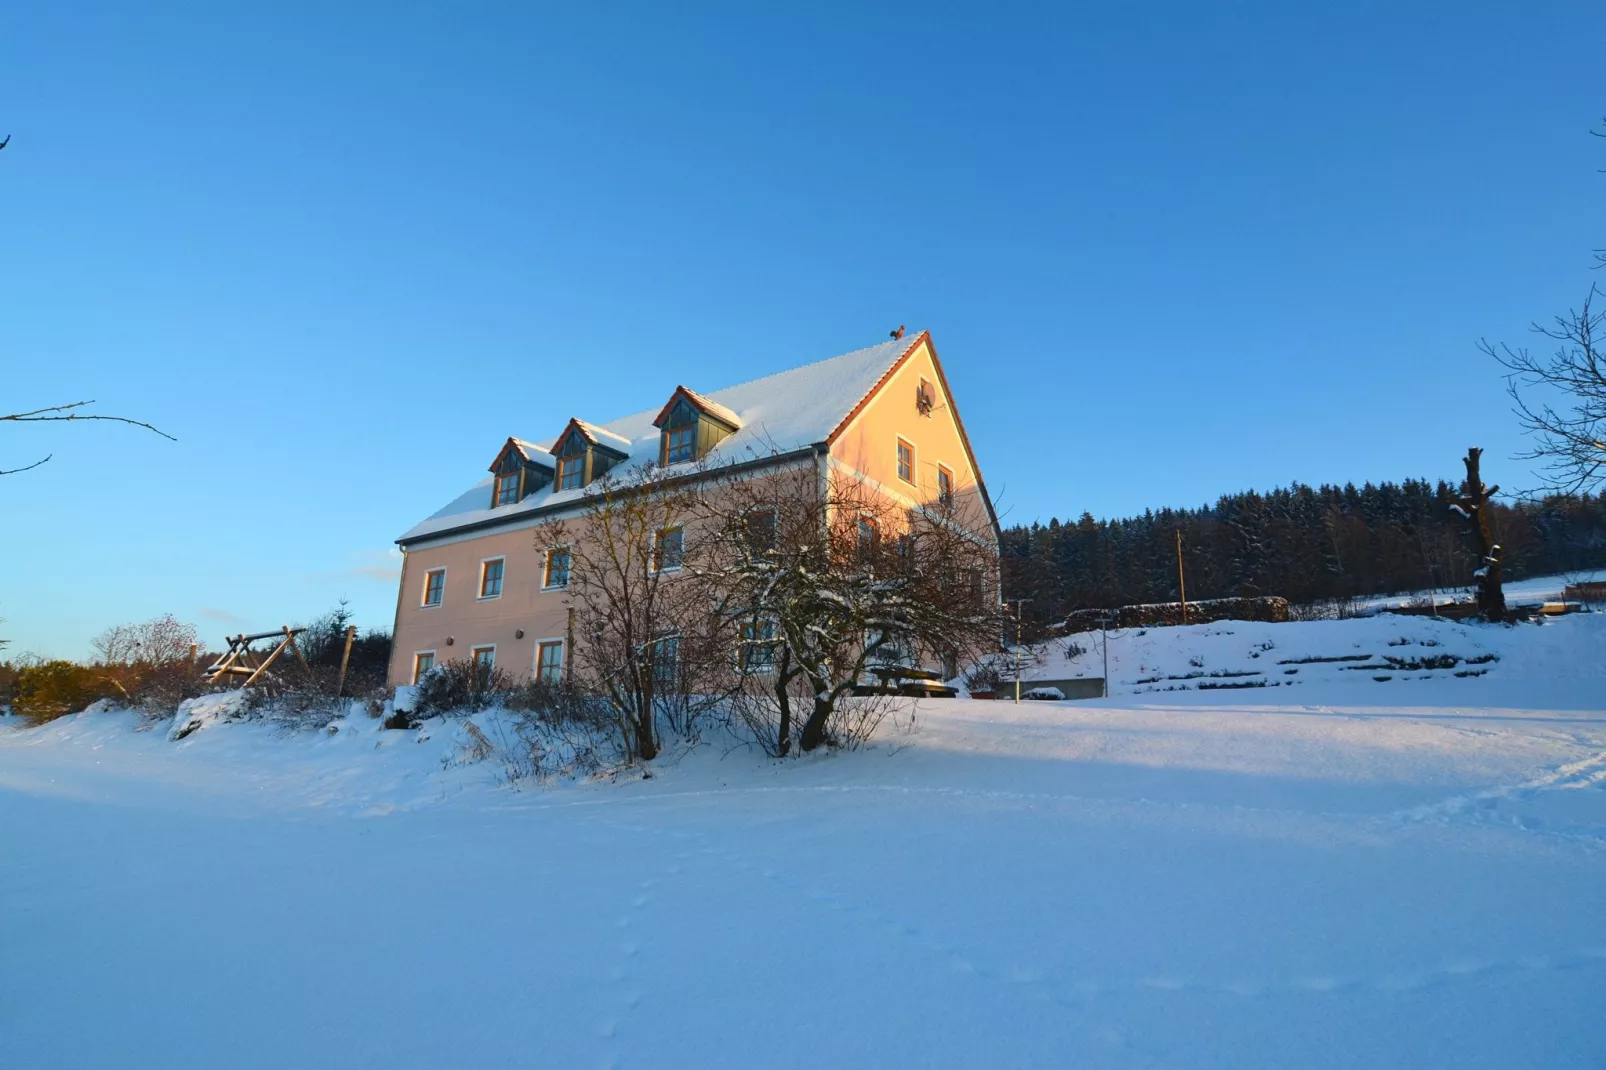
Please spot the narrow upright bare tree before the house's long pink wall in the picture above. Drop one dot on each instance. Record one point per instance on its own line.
(642, 634)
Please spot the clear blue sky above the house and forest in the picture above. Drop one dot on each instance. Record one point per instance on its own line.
(1167, 251)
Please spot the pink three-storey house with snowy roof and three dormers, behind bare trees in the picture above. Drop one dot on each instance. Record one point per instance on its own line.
(478, 587)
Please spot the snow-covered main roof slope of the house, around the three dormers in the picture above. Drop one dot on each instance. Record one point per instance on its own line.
(780, 414)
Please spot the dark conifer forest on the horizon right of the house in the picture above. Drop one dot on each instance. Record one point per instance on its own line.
(1305, 544)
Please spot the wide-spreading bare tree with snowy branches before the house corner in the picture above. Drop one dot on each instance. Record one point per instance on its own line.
(826, 578)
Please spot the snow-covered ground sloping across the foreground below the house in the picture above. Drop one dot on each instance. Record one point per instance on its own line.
(1343, 873)
